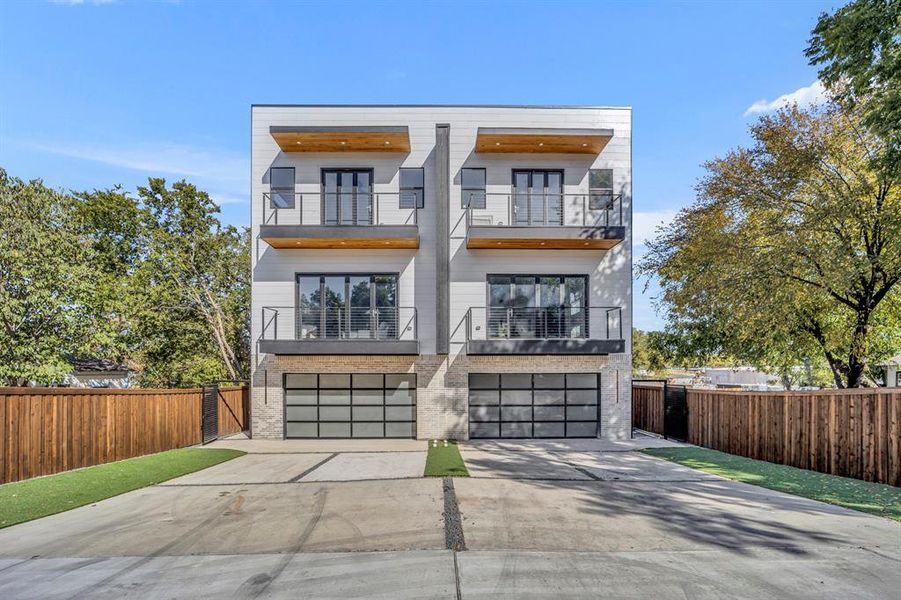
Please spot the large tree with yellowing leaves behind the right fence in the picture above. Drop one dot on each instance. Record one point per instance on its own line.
(792, 248)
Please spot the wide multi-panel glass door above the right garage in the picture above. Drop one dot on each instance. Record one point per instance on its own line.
(537, 306)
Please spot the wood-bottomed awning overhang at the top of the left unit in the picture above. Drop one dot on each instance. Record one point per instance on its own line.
(342, 139)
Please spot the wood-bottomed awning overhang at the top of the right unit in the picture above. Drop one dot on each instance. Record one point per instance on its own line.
(529, 140)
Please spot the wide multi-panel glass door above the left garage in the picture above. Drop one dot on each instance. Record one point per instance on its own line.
(347, 306)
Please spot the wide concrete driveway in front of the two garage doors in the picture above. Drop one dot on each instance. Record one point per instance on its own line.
(568, 519)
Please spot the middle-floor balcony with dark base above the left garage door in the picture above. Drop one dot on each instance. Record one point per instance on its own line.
(339, 330)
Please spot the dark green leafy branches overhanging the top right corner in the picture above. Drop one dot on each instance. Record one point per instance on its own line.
(859, 50)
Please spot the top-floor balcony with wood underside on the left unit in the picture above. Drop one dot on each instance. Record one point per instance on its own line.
(338, 220)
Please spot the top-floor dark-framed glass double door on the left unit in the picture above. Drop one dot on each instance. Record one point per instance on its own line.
(347, 197)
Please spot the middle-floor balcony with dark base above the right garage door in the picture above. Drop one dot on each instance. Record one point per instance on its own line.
(593, 330)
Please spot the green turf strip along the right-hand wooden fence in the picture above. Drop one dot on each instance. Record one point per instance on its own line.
(874, 498)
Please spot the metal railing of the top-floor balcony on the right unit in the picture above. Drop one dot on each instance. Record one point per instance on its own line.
(539, 209)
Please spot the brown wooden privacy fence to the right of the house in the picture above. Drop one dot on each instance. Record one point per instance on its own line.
(853, 433)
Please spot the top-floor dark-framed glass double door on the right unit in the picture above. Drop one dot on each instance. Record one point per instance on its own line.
(537, 197)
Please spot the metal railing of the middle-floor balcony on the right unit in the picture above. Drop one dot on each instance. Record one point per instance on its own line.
(544, 323)
